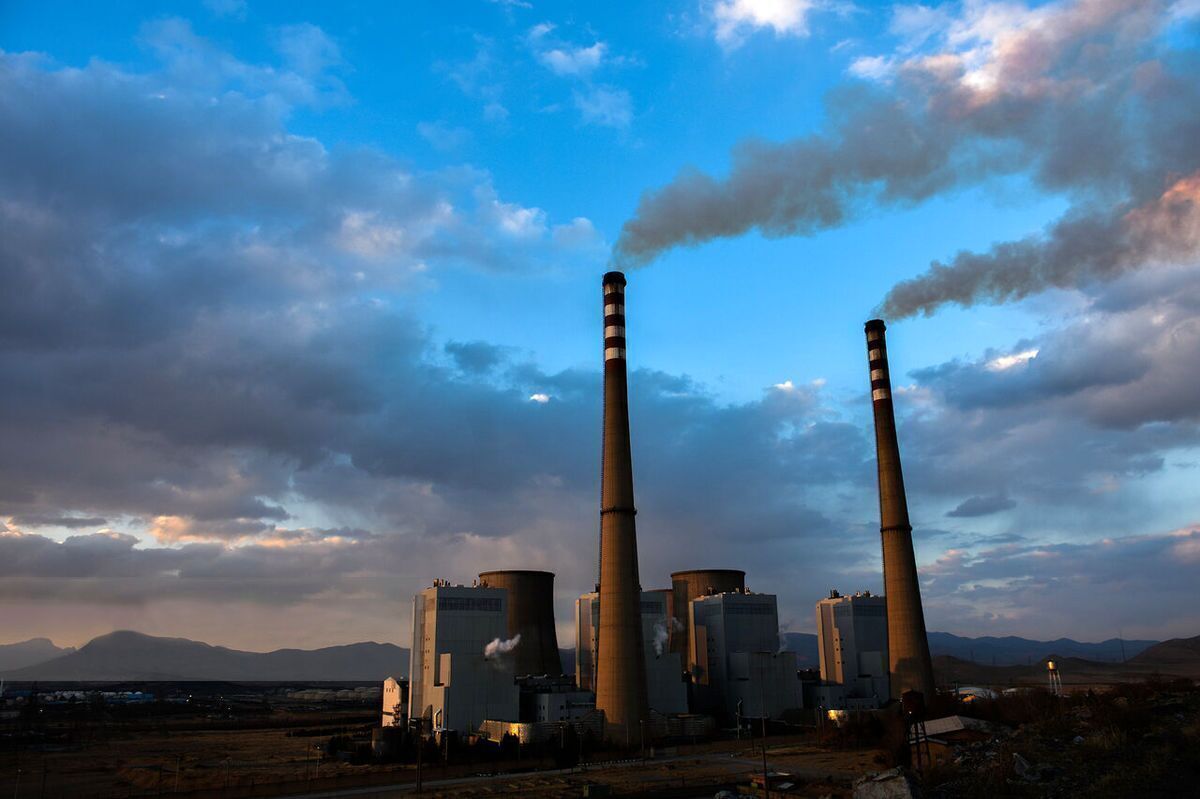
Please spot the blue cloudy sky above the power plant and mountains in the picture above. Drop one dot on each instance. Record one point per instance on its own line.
(303, 307)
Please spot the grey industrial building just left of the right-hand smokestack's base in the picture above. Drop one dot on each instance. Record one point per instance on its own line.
(853, 646)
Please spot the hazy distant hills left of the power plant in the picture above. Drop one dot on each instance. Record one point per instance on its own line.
(127, 656)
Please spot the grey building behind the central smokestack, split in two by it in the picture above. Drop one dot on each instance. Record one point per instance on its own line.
(667, 689)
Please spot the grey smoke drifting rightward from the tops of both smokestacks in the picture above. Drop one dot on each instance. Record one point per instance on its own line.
(1087, 98)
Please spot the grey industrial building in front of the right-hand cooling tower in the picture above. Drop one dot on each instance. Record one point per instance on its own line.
(736, 666)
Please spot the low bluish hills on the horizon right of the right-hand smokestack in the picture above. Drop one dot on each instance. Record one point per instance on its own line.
(1012, 651)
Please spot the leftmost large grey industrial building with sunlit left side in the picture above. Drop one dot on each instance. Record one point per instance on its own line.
(463, 664)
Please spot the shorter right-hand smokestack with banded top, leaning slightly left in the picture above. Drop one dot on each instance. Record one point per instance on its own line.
(908, 644)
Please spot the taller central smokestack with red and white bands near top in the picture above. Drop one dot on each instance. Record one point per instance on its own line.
(621, 665)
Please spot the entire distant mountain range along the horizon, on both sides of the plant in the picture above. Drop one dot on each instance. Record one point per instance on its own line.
(127, 656)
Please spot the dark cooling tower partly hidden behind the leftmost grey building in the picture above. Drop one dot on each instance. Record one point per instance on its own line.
(532, 617)
